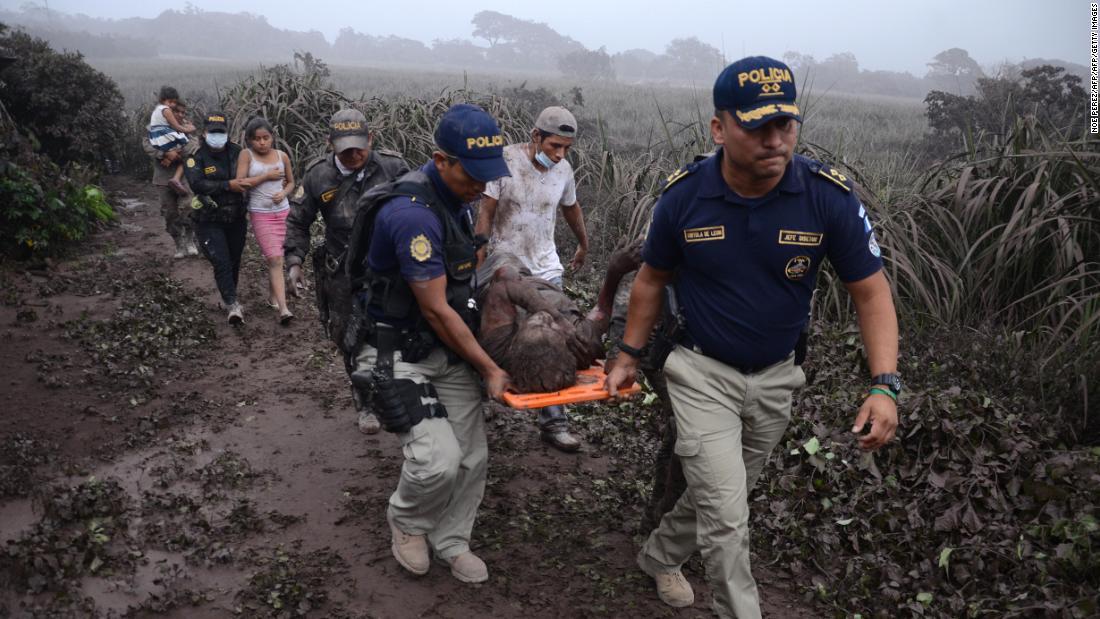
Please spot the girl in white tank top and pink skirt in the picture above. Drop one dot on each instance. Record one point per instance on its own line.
(269, 171)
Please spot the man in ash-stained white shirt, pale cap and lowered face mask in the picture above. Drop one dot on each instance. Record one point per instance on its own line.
(518, 214)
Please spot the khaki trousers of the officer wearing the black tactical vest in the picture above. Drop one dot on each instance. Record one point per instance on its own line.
(446, 460)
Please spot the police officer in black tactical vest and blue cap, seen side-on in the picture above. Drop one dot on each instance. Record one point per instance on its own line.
(421, 357)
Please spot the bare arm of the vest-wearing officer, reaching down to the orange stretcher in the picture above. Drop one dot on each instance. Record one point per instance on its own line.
(432, 299)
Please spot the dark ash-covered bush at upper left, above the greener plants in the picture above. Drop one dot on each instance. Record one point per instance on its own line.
(73, 110)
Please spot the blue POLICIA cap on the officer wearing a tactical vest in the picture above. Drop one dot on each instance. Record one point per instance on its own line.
(470, 135)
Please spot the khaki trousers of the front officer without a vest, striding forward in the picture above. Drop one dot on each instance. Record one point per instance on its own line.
(728, 424)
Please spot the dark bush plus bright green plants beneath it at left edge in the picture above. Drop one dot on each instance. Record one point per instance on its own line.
(59, 120)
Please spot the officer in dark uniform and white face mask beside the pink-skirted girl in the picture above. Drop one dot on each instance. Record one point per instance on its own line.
(219, 215)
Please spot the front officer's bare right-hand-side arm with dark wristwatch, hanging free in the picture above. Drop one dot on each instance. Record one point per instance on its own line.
(878, 326)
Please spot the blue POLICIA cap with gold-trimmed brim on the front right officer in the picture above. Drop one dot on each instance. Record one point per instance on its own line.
(756, 91)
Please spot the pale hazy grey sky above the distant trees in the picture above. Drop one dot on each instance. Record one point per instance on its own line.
(882, 35)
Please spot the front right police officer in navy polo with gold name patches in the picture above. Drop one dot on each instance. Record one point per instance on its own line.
(746, 231)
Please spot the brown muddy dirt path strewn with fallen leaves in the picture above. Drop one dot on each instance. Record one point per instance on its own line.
(157, 462)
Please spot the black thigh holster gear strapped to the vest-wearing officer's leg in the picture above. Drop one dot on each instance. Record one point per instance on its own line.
(400, 403)
